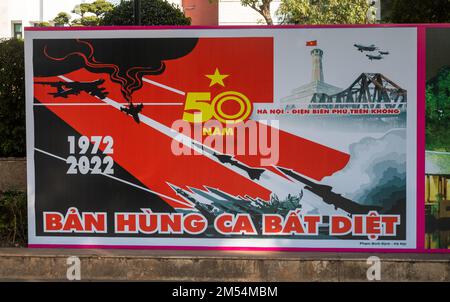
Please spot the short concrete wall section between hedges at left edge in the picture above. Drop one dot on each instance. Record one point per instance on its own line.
(13, 174)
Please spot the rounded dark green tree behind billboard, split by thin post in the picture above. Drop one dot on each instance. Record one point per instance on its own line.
(154, 12)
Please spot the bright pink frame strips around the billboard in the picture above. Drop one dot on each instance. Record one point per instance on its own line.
(421, 78)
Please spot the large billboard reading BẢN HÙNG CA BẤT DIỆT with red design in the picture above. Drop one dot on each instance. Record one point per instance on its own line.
(254, 138)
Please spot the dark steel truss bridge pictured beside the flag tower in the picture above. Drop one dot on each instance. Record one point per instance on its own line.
(368, 91)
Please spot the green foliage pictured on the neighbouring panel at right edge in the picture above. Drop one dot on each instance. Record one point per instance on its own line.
(438, 112)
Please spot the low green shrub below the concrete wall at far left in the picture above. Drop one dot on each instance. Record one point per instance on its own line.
(13, 218)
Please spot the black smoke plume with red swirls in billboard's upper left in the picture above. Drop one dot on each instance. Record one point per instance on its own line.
(125, 60)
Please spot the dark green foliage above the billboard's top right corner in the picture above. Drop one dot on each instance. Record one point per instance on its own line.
(416, 11)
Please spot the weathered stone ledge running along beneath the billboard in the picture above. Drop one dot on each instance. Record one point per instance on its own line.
(152, 265)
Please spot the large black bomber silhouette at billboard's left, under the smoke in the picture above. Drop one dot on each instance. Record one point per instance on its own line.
(64, 89)
